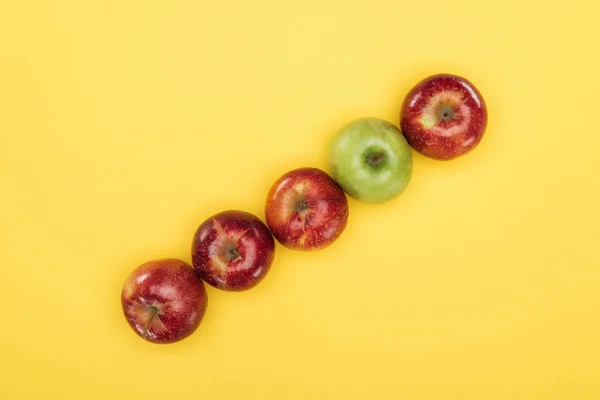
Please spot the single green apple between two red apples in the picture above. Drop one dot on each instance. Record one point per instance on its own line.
(371, 160)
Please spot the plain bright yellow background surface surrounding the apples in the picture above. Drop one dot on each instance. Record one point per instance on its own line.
(124, 124)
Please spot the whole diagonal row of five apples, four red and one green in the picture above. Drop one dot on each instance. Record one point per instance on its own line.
(442, 117)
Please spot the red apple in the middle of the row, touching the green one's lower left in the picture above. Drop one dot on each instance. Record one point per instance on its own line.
(306, 209)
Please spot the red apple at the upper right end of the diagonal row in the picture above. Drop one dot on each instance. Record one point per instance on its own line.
(443, 117)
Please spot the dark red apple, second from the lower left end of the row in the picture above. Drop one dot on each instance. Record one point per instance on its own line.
(233, 250)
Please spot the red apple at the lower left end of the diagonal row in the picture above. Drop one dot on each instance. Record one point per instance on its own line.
(163, 300)
